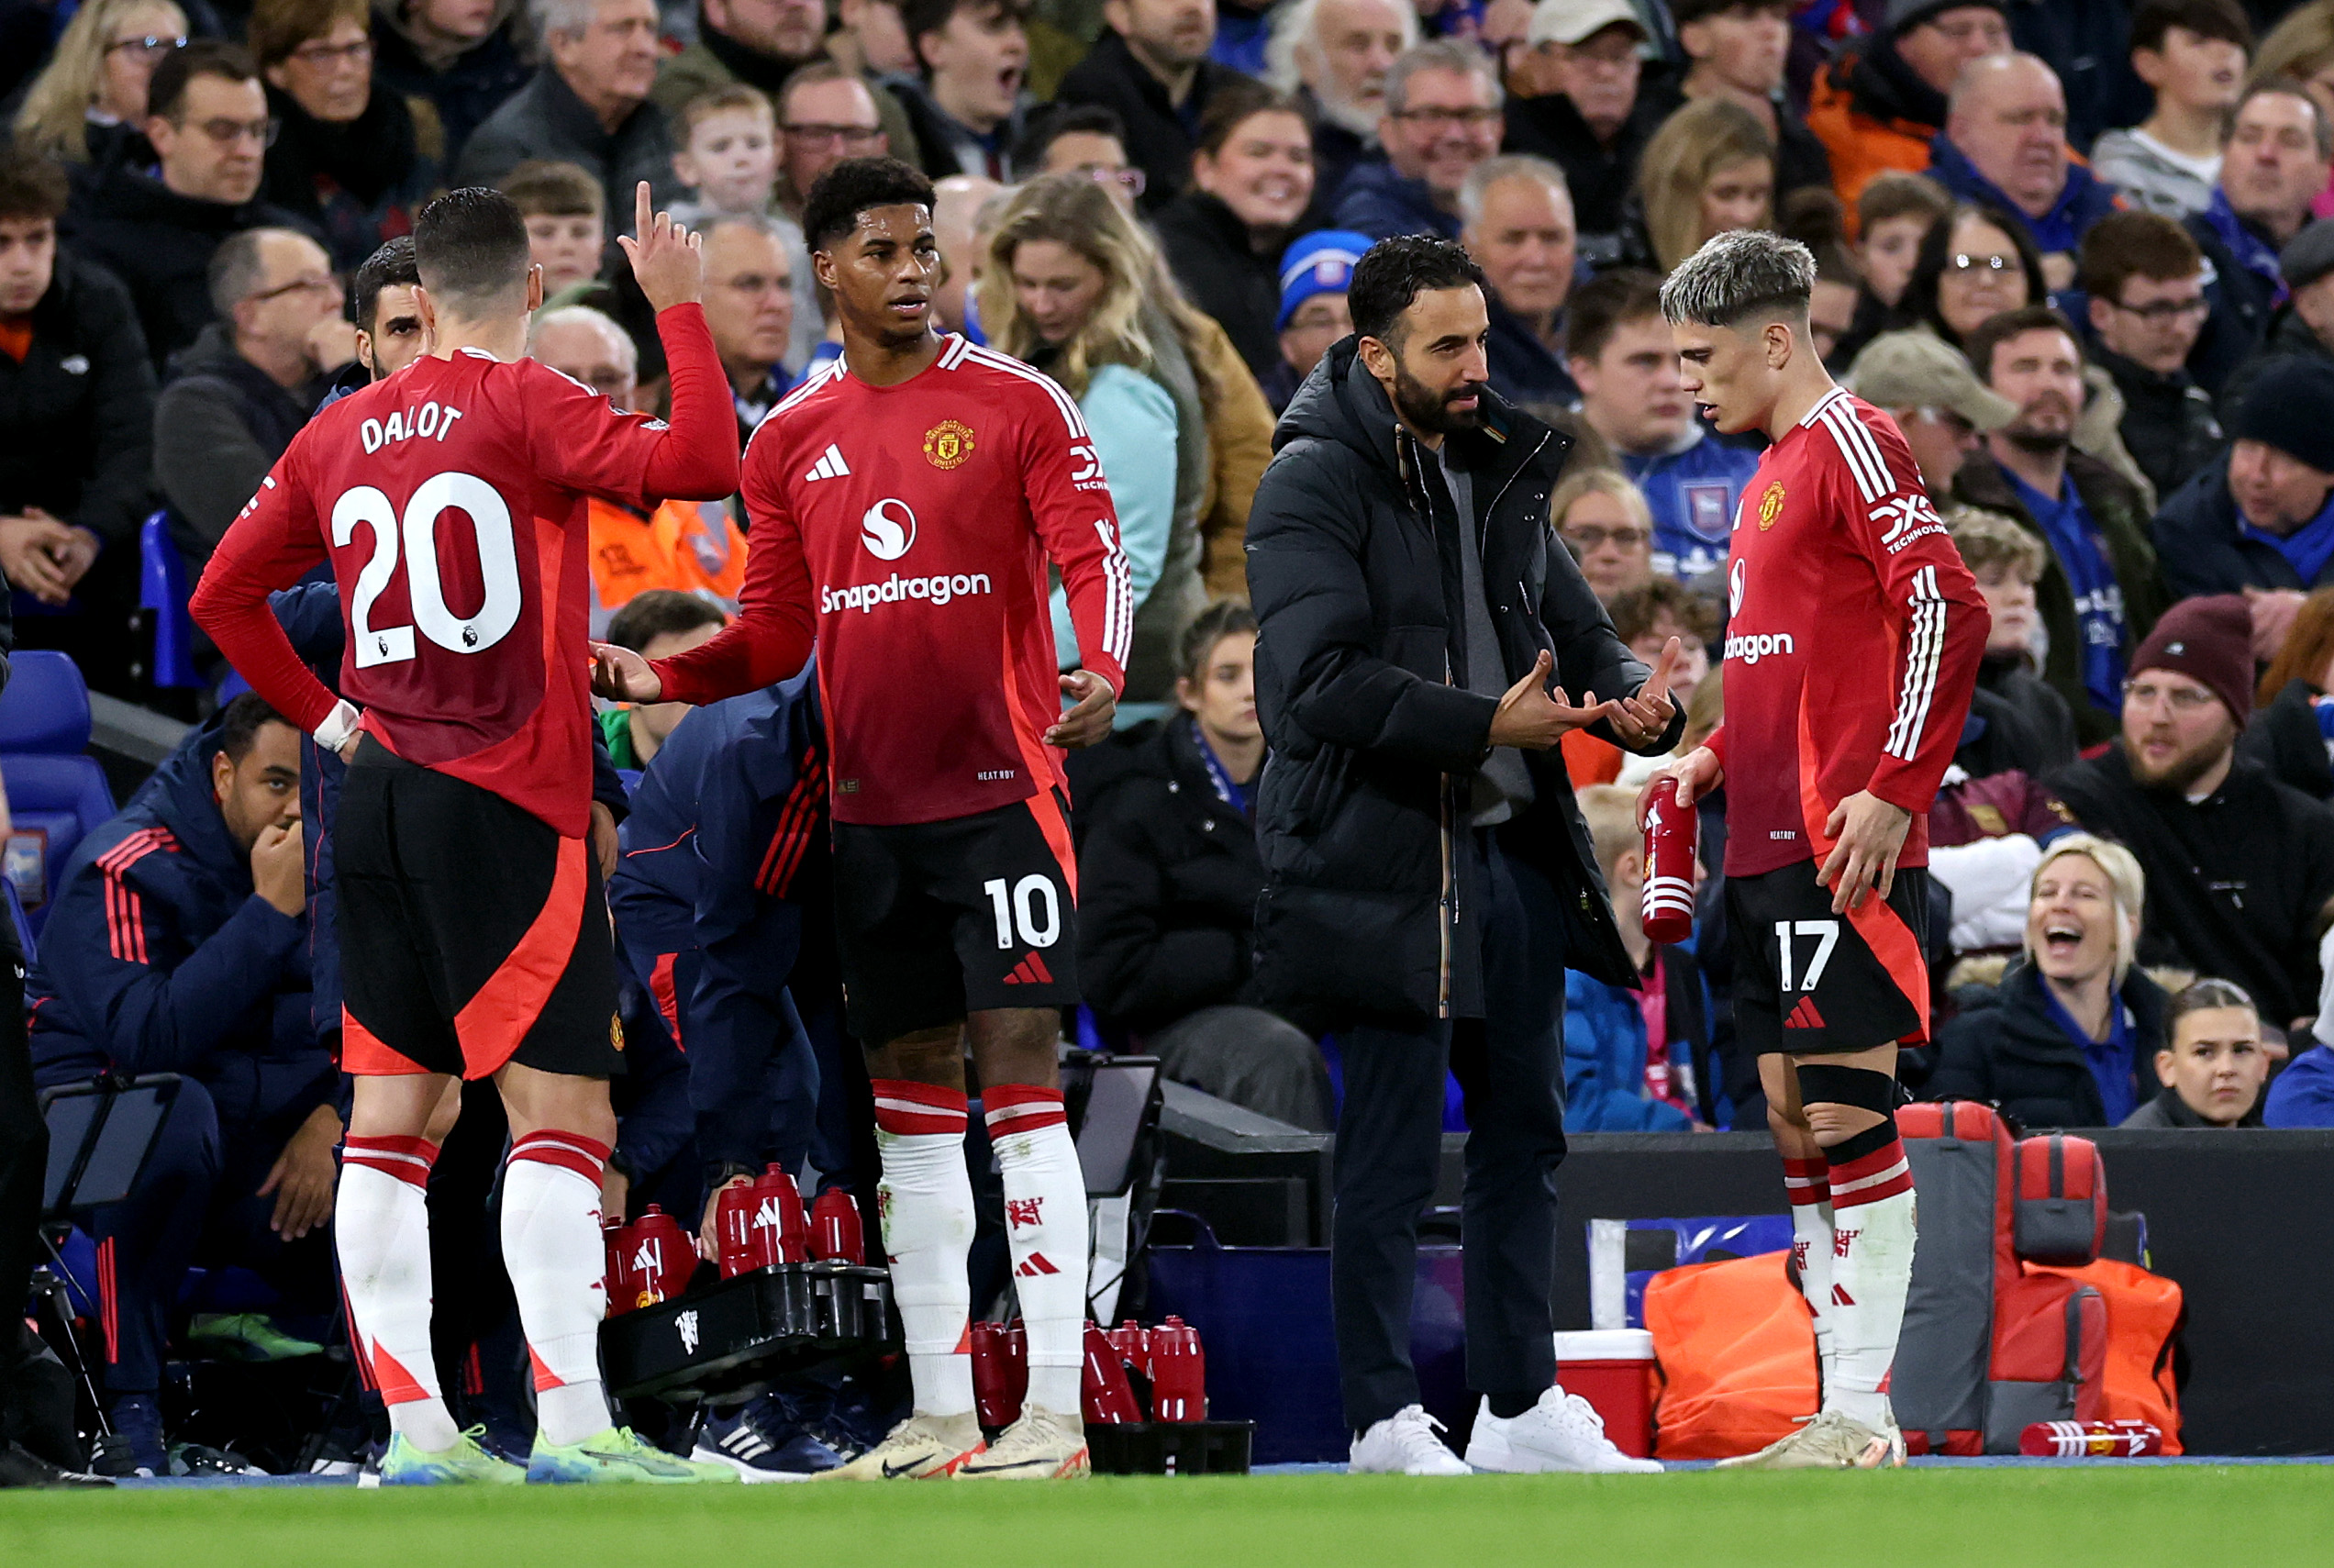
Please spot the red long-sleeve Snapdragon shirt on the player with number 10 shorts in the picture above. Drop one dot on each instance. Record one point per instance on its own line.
(911, 526)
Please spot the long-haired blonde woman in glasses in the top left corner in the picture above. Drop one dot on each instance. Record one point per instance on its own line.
(92, 94)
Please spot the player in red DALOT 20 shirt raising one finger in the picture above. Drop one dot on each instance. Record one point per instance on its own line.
(475, 941)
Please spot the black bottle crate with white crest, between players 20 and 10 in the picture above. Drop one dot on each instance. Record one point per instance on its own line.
(741, 1333)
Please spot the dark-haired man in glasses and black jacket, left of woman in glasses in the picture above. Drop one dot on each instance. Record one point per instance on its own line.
(209, 127)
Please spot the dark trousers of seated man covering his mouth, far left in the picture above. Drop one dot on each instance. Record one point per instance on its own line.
(200, 1198)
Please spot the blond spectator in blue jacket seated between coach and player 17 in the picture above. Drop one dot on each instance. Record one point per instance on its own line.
(1614, 1079)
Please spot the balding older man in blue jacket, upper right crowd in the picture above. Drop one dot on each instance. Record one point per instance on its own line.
(2004, 146)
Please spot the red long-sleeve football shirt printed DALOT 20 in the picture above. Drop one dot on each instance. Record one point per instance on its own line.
(454, 505)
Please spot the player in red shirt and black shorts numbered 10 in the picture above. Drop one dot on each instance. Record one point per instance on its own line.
(907, 503)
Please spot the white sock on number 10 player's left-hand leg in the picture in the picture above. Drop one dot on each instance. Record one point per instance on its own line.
(928, 1228)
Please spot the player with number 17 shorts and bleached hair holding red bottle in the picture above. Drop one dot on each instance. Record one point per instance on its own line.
(1852, 650)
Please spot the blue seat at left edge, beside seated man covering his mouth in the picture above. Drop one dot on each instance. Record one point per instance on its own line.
(55, 787)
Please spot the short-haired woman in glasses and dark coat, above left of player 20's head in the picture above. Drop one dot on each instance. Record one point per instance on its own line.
(347, 153)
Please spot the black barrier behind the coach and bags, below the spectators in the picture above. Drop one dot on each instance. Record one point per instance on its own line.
(2242, 1219)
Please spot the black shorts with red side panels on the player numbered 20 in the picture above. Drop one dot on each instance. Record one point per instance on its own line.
(473, 934)
